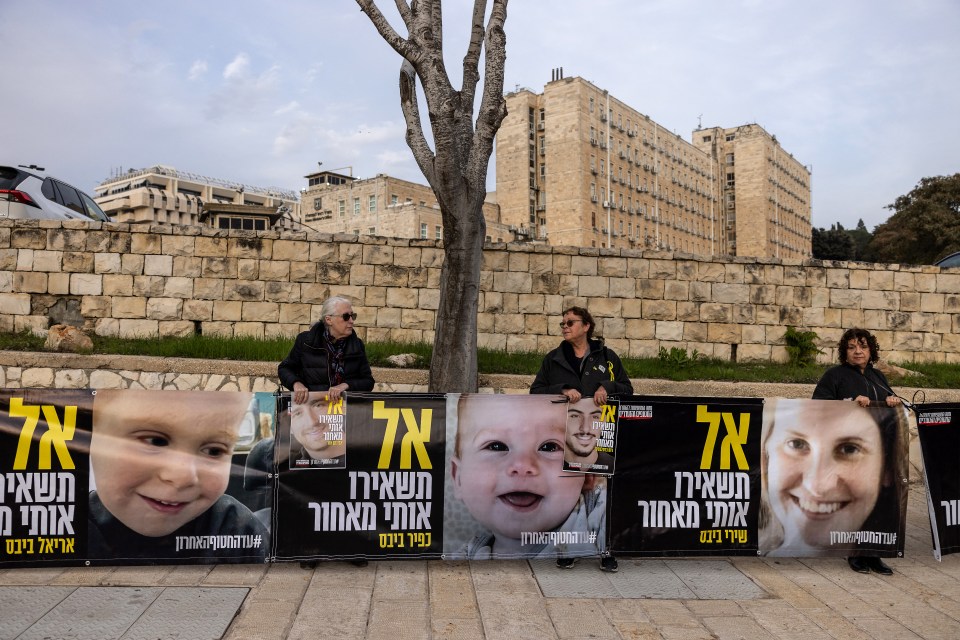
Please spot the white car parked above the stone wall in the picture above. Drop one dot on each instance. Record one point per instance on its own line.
(26, 192)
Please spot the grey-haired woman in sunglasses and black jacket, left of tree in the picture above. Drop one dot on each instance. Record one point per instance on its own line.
(329, 357)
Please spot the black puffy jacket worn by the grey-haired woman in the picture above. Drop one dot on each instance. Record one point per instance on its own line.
(307, 363)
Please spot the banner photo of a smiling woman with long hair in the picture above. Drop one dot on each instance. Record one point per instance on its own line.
(834, 479)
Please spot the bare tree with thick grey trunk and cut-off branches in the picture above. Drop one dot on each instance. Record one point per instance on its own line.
(456, 167)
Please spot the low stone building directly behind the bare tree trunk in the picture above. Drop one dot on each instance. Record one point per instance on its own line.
(382, 206)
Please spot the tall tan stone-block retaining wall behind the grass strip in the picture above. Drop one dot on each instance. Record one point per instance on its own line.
(162, 280)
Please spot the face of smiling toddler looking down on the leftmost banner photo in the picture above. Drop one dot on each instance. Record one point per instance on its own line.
(160, 459)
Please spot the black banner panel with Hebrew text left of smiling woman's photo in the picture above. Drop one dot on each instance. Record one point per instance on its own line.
(688, 476)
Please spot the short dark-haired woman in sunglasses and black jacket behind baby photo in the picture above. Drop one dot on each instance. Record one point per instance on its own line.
(582, 367)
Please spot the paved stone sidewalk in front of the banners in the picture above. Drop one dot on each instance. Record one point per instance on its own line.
(723, 598)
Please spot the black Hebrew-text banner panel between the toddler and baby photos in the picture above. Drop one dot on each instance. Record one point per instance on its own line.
(360, 477)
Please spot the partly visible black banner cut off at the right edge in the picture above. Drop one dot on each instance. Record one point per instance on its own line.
(938, 425)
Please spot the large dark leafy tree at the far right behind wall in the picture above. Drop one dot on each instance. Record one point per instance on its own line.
(925, 226)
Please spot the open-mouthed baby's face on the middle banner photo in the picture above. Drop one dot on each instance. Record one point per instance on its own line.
(507, 464)
